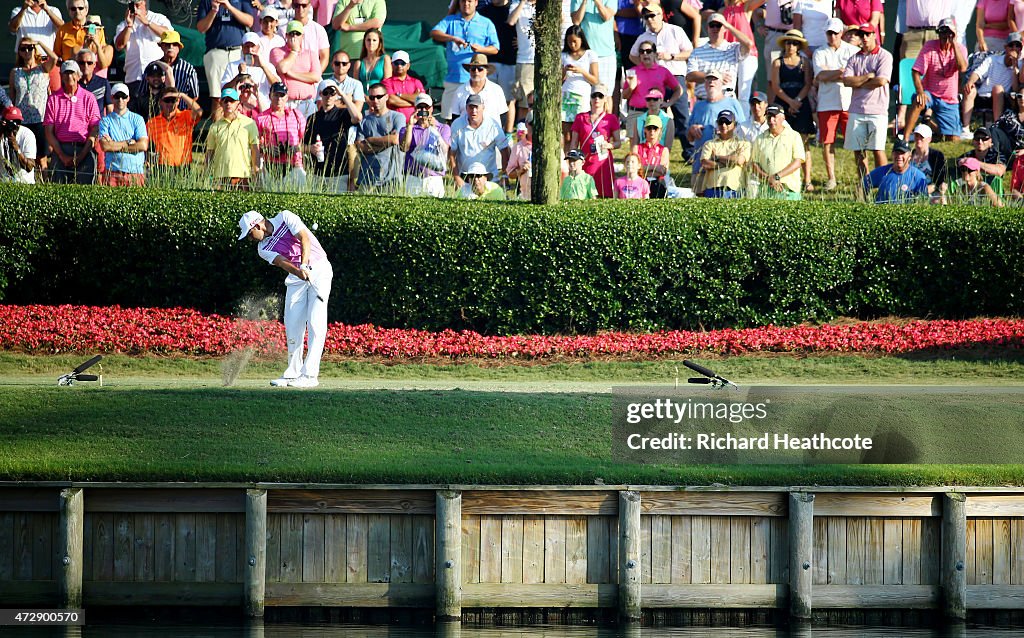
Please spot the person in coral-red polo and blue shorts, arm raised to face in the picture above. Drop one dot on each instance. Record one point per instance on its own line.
(936, 82)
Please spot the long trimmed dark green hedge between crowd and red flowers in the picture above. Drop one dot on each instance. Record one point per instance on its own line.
(519, 269)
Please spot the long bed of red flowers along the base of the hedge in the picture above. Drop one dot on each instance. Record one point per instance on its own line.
(181, 331)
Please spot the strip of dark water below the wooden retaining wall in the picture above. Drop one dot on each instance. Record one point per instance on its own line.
(230, 628)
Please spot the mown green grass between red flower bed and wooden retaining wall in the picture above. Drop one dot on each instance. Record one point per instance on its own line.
(174, 421)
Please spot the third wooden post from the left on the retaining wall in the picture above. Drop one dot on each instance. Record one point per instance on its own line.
(448, 571)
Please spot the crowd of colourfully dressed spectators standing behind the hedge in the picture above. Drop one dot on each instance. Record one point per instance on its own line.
(304, 90)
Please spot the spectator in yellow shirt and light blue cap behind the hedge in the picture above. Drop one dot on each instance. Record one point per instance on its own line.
(233, 146)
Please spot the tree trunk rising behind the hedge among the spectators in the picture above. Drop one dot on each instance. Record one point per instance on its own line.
(547, 103)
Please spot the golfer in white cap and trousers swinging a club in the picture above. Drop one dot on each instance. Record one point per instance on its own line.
(287, 243)
